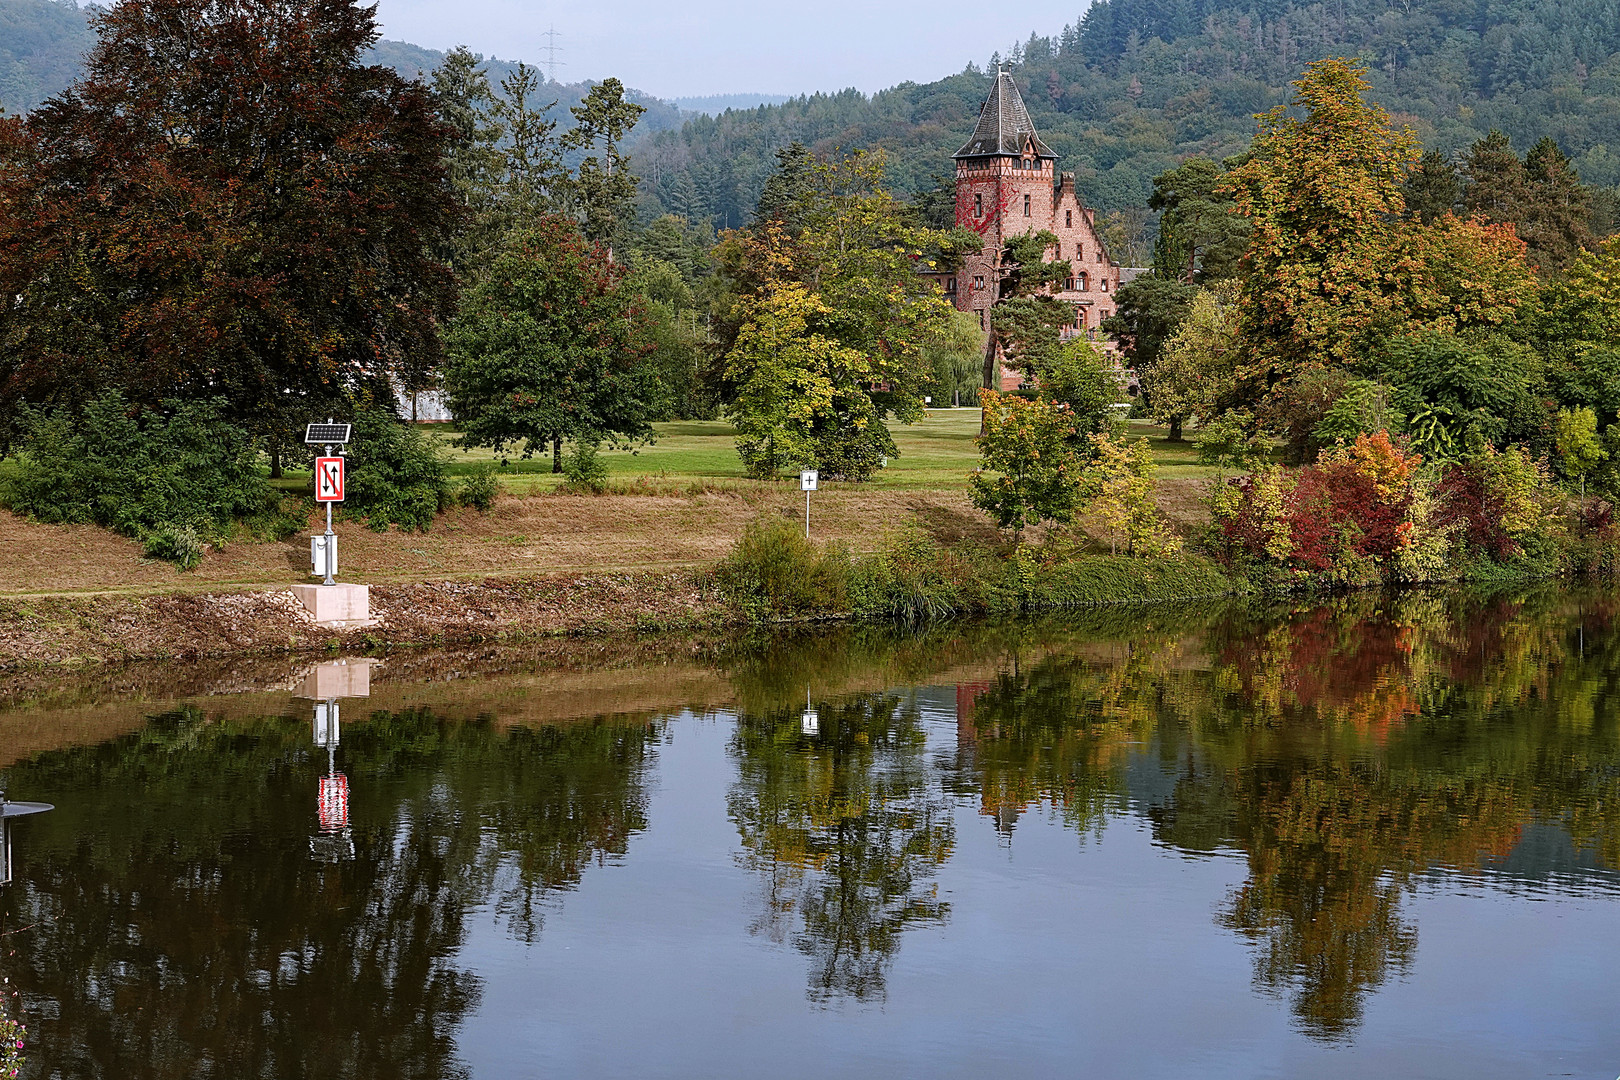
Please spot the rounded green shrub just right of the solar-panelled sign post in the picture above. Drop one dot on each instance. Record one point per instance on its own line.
(396, 474)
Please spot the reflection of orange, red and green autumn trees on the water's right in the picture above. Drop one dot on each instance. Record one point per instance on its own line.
(1345, 749)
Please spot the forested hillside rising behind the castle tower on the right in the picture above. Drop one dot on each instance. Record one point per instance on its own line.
(1140, 83)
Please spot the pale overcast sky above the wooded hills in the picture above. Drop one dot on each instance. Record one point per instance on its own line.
(693, 48)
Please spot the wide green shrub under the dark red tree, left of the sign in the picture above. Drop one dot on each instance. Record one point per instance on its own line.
(174, 478)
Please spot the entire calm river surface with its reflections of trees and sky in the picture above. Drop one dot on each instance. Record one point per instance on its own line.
(1376, 838)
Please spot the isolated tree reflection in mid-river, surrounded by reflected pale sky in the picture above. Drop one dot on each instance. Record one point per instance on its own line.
(848, 830)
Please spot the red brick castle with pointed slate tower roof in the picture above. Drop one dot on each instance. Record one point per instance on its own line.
(1007, 185)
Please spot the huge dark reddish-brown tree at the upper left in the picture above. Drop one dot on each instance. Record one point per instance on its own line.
(228, 205)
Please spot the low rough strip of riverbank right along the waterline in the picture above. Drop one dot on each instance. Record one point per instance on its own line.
(43, 634)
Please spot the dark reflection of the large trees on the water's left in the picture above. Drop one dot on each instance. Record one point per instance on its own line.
(182, 930)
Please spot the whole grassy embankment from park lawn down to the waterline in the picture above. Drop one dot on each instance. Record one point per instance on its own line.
(545, 563)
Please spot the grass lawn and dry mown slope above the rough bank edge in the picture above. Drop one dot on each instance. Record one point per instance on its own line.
(678, 503)
